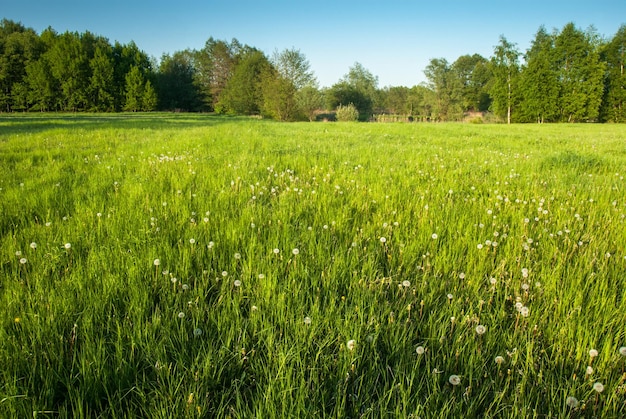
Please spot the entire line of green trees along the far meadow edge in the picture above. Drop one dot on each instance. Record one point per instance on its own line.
(567, 75)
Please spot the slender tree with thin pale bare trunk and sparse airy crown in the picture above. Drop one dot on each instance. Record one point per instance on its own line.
(505, 82)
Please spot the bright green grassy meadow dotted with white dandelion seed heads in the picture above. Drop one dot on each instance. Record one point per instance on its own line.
(165, 266)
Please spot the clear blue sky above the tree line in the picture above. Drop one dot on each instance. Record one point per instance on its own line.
(395, 40)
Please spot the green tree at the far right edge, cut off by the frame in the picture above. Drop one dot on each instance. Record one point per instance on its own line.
(614, 55)
